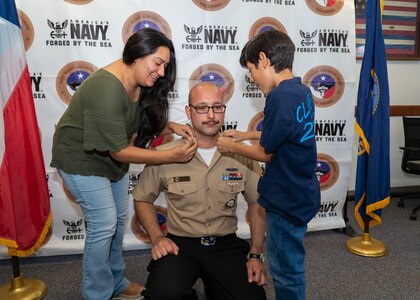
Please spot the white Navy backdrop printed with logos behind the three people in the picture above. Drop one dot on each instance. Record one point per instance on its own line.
(67, 40)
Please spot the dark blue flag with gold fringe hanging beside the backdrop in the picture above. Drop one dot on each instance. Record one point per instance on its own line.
(372, 124)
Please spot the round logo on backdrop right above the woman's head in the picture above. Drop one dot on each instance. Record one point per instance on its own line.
(145, 19)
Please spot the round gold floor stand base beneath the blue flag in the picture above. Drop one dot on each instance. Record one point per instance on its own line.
(366, 246)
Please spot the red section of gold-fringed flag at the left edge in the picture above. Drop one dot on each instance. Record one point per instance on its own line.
(24, 199)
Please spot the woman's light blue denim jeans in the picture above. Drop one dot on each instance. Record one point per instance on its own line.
(104, 204)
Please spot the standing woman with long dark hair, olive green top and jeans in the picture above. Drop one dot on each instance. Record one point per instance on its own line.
(93, 147)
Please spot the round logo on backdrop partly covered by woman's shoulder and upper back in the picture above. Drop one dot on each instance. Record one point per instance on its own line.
(70, 77)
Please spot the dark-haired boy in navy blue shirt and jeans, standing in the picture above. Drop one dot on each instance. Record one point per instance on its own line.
(289, 189)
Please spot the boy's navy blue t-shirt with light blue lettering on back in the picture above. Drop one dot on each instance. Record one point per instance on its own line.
(289, 185)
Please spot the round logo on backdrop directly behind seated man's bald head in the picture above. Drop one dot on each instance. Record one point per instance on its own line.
(216, 74)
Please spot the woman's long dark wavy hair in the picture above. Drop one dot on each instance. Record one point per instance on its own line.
(153, 101)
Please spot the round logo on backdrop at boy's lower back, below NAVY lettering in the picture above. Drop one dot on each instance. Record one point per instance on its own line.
(327, 171)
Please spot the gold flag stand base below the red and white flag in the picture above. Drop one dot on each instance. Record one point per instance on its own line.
(23, 289)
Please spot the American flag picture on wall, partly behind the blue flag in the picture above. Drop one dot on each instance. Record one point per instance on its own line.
(399, 27)
